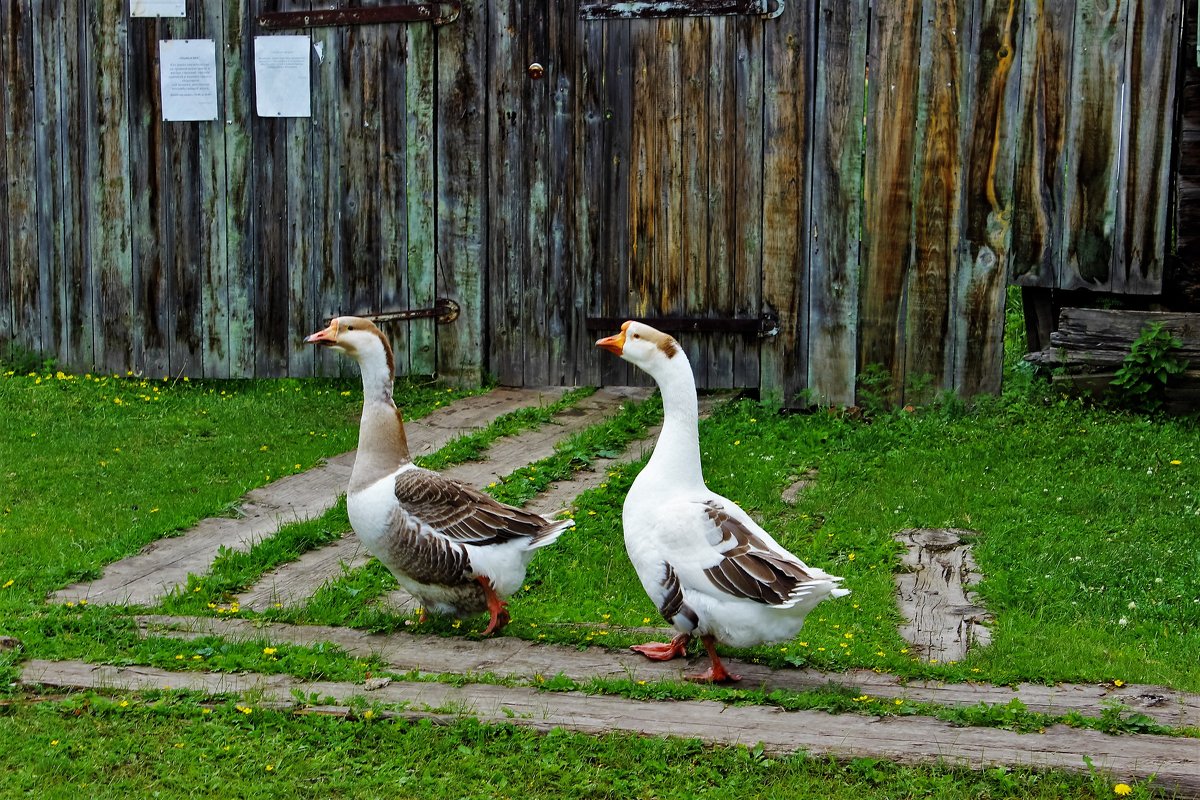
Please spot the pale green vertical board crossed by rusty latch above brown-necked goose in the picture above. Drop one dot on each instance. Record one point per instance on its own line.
(422, 196)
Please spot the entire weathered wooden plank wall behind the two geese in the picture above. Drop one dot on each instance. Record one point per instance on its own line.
(863, 179)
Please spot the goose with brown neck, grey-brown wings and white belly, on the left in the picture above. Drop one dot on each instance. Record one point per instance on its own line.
(454, 549)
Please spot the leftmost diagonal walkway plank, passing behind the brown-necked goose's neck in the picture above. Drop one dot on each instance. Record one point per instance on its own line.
(145, 579)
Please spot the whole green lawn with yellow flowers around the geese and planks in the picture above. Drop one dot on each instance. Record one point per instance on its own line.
(1084, 526)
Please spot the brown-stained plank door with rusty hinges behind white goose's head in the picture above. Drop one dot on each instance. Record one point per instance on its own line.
(628, 182)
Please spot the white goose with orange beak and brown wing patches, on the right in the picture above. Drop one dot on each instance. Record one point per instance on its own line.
(710, 569)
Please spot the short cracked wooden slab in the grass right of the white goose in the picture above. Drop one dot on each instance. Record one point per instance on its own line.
(945, 624)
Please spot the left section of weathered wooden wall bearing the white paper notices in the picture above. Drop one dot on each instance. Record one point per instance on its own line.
(212, 249)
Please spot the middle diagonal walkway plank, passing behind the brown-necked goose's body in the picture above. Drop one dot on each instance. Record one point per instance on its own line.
(293, 584)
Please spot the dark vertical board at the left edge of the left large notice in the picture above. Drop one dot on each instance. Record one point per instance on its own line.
(151, 212)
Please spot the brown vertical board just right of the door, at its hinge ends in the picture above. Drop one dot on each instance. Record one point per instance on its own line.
(785, 193)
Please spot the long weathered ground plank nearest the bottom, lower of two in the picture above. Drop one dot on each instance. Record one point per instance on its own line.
(1168, 762)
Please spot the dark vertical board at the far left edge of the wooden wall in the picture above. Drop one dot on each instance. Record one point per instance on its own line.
(21, 129)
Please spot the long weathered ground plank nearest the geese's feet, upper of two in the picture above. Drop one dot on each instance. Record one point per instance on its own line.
(512, 658)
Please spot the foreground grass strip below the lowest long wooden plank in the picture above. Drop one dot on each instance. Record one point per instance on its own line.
(171, 745)
